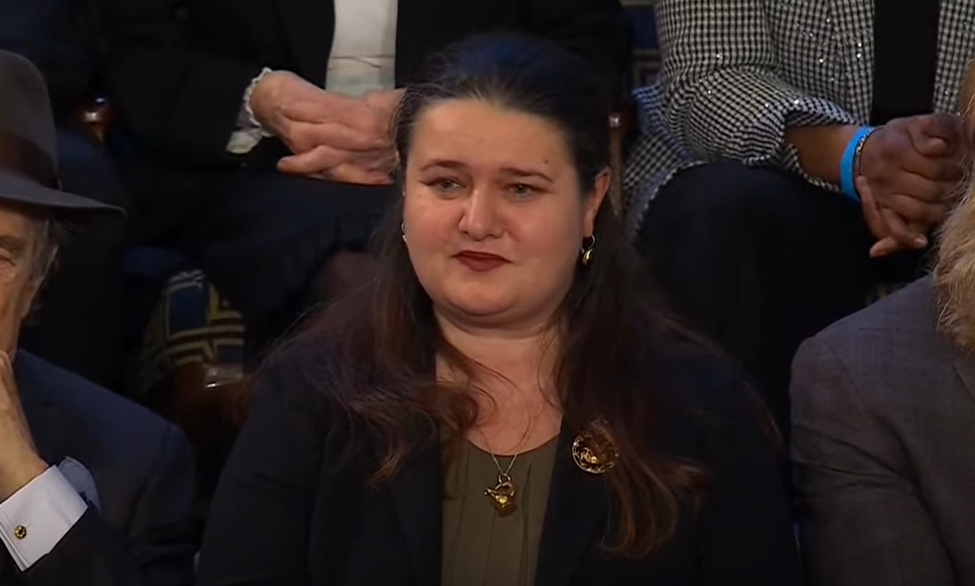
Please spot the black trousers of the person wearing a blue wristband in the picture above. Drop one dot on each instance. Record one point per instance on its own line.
(760, 260)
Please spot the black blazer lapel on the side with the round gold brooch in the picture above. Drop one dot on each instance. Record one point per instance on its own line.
(575, 516)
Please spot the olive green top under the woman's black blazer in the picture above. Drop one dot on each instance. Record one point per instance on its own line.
(481, 548)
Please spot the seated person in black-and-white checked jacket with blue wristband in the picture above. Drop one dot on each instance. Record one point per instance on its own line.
(743, 186)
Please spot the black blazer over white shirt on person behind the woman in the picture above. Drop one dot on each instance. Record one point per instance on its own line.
(178, 71)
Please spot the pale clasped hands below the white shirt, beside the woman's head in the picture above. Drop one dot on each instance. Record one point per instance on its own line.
(332, 136)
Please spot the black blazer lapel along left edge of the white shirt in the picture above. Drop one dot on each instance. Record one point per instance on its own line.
(310, 26)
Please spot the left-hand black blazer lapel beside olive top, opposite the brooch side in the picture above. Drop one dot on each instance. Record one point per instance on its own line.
(417, 491)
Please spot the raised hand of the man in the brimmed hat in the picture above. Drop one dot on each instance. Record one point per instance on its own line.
(19, 462)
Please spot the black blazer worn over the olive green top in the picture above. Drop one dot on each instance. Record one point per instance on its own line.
(289, 511)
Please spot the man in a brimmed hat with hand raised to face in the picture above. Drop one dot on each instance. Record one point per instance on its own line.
(94, 490)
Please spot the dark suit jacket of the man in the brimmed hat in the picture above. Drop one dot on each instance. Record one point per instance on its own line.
(142, 468)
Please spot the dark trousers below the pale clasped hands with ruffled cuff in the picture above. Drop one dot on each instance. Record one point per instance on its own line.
(262, 237)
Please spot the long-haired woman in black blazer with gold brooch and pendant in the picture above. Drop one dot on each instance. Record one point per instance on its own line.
(504, 404)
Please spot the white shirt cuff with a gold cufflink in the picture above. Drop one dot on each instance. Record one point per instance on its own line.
(38, 516)
